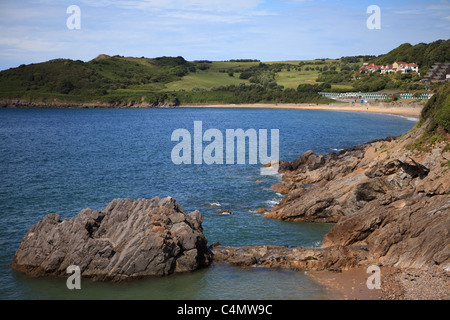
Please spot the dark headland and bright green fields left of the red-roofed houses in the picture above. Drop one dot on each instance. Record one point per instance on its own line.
(128, 80)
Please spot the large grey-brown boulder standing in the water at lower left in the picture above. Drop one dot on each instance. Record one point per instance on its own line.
(128, 239)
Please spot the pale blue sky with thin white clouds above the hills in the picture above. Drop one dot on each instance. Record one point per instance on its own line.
(269, 30)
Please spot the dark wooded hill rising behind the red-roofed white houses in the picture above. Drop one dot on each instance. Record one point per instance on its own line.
(425, 55)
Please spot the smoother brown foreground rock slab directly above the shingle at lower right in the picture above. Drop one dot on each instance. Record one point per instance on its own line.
(410, 233)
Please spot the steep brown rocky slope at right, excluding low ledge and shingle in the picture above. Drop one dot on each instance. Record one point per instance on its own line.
(386, 196)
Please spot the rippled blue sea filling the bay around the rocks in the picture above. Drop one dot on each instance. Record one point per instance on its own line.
(64, 160)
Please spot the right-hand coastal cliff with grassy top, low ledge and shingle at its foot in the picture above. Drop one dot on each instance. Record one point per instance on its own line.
(390, 200)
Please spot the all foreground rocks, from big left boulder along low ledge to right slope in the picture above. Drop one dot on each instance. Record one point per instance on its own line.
(388, 198)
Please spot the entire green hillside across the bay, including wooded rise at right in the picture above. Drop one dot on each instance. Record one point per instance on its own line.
(173, 80)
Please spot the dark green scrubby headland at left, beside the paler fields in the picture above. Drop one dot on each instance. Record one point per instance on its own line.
(94, 78)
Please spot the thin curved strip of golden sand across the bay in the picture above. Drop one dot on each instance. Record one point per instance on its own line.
(400, 109)
